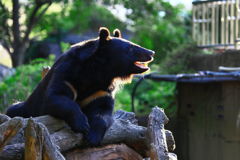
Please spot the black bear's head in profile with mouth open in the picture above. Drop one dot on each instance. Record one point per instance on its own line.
(124, 56)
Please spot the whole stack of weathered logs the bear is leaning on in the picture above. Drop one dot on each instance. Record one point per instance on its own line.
(47, 138)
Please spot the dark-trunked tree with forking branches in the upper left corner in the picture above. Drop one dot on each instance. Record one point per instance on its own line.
(15, 28)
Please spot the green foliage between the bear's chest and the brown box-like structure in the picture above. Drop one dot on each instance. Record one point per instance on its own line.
(148, 95)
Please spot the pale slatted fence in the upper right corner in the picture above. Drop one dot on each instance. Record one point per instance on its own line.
(216, 23)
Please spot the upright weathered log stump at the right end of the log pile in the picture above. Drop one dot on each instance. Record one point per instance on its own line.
(157, 136)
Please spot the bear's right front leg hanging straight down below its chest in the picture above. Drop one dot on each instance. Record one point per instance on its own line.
(99, 115)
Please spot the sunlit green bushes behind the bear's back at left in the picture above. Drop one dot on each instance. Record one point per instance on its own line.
(20, 85)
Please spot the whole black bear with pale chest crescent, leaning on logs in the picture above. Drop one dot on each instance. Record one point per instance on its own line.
(79, 88)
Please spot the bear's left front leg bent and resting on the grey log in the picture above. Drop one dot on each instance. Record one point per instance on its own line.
(66, 109)
